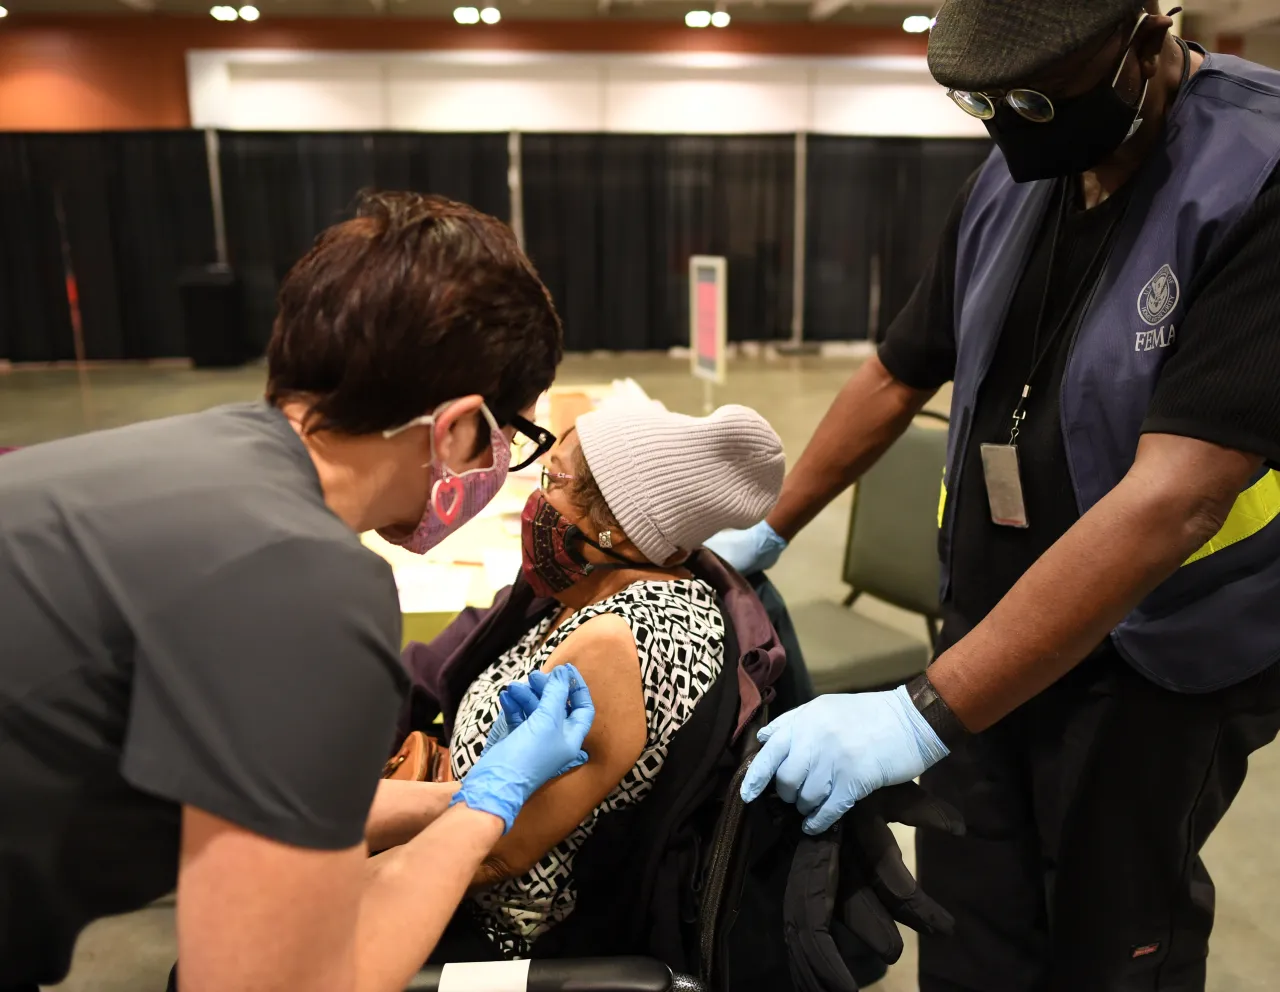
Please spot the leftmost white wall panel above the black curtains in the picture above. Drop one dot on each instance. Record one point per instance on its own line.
(331, 95)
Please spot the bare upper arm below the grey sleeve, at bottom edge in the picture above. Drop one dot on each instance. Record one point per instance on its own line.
(259, 916)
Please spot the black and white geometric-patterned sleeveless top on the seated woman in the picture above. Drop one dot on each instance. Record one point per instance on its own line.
(680, 641)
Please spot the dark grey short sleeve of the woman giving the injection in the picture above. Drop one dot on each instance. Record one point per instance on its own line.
(267, 694)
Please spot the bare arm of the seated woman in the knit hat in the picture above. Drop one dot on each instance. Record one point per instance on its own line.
(605, 653)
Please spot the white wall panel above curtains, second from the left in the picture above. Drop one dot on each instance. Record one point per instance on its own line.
(540, 97)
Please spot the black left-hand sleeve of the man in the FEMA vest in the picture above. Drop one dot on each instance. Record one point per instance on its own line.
(920, 346)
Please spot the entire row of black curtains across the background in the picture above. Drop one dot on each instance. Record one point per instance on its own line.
(611, 222)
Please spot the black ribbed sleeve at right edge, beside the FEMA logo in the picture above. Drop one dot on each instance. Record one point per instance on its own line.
(1222, 383)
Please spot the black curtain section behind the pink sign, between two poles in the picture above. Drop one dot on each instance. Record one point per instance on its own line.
(611, 222)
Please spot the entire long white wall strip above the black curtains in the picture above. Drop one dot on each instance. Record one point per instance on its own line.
(504, 92)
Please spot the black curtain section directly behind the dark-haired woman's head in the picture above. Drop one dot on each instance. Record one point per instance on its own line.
(282, 190)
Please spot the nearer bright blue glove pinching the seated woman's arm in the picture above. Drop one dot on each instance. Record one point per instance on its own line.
(543, 747)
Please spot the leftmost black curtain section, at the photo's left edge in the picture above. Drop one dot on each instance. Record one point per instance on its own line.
(138, 213)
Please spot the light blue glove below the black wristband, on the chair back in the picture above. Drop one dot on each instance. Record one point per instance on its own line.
(836, 751)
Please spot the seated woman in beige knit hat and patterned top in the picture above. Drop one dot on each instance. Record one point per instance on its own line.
(625, 500)
